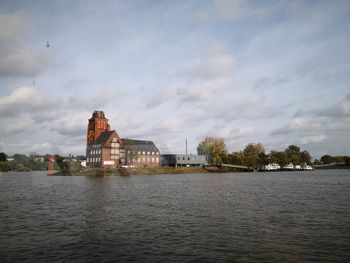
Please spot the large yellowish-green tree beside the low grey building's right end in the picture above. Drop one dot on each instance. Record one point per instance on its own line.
(214, 149)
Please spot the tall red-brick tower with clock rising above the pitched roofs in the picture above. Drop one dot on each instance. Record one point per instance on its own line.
(97, 124)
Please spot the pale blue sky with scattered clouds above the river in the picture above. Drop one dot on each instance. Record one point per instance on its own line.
(270, 72)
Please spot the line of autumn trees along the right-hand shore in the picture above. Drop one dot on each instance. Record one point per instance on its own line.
(255, 156)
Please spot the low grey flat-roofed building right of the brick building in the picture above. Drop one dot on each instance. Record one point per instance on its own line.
(176, 160)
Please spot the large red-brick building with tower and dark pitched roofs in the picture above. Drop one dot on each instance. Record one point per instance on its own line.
(105, 148)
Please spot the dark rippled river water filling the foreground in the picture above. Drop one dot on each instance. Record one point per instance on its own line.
(229, 217)
